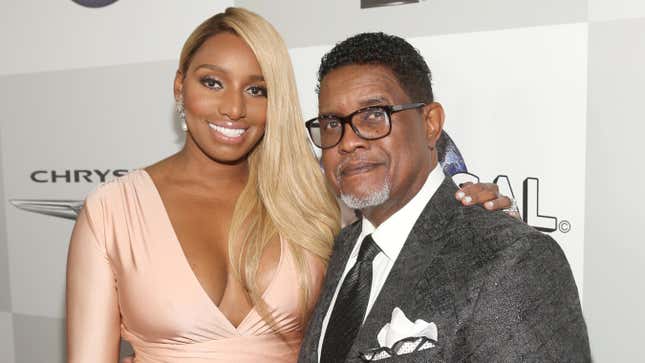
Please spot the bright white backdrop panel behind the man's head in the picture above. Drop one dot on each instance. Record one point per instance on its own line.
(516, 105)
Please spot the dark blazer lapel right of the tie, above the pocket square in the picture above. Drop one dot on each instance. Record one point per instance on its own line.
(421, 247)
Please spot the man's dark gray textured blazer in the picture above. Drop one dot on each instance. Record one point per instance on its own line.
(497, 289)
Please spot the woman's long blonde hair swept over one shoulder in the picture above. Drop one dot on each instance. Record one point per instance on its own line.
(286, 195)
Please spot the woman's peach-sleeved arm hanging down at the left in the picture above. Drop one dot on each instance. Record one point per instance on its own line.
(93, 319)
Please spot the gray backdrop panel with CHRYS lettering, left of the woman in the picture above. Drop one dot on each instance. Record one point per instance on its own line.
(118, 117)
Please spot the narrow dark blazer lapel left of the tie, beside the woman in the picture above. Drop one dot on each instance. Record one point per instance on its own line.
(340, 254)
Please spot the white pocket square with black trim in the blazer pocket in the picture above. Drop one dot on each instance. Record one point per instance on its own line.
(401, 336)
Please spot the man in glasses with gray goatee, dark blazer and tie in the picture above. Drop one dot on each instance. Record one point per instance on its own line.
(479, 286)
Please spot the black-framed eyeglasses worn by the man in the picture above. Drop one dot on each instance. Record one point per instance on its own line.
(369, 123)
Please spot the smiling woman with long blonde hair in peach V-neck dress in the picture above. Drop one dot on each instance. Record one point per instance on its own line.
(217, 253)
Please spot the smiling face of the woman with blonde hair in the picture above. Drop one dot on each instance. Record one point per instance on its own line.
(225, 98)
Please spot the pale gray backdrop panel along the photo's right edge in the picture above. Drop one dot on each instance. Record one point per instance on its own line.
(614, 249)
